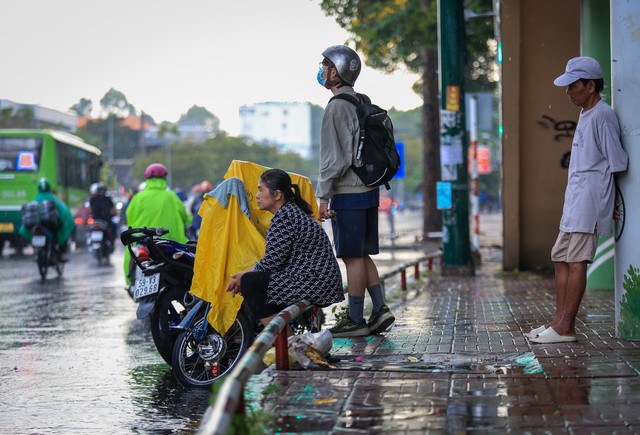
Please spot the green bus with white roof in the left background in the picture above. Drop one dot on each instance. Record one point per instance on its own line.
(70, 164)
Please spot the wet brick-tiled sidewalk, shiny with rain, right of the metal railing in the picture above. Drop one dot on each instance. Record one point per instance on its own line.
(457, 361)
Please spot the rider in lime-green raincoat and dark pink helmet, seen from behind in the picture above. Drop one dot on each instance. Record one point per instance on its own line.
(157, 206)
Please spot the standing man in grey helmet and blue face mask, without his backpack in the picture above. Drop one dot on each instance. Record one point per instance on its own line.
(351, 206)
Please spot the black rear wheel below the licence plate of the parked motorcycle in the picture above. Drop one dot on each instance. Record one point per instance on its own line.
(169, 310)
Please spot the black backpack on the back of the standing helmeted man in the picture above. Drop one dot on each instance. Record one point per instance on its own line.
(376, 147)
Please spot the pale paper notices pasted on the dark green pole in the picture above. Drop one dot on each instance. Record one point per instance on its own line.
(451, 135)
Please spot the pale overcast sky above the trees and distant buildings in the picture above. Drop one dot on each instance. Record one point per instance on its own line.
(167, 55)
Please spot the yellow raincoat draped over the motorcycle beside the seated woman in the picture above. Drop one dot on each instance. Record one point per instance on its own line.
(232, 238)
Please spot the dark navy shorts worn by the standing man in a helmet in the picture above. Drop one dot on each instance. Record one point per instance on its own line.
(355, 225)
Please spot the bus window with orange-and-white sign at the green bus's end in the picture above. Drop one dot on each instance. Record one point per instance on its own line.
(20, 154)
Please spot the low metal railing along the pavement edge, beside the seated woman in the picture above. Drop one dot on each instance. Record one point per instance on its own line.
(229, 400)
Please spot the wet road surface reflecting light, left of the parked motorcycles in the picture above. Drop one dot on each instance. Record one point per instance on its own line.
(74, 359)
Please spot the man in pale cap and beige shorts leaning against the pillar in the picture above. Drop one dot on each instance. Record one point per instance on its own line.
(596, 154)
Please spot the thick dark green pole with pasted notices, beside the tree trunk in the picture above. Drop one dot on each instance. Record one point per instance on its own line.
(453, 139)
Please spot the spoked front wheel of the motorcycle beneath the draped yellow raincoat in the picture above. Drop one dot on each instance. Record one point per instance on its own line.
(199, 363)
